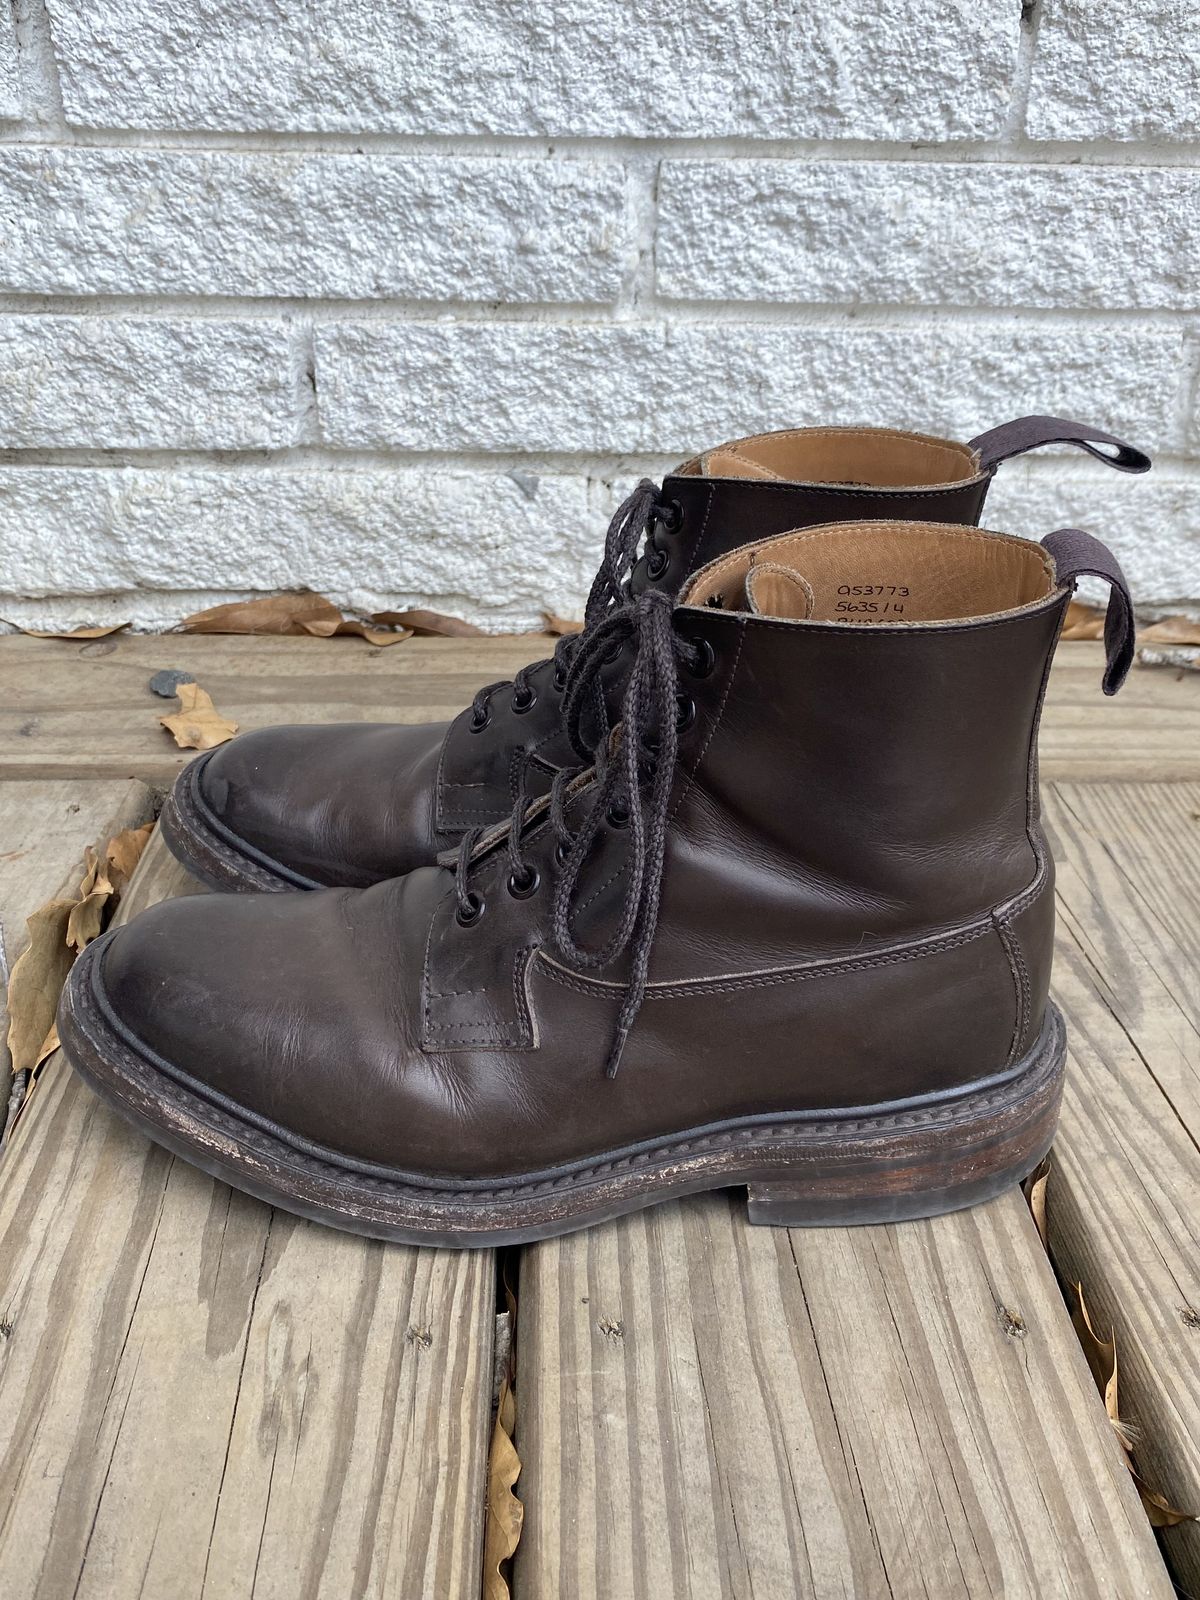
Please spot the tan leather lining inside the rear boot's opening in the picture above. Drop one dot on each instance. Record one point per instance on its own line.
(863, 457)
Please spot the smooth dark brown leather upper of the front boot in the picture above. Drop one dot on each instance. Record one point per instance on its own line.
(855, 910)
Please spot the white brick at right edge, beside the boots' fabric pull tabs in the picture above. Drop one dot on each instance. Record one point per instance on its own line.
(1153, 524)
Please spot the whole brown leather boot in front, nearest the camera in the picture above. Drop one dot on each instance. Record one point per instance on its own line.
(788, 927)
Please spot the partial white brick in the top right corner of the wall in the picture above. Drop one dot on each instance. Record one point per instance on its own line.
(1116, 70)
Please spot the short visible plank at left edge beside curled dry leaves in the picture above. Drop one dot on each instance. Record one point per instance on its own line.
(44, 828)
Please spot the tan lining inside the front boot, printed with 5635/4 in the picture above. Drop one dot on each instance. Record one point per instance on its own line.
(881, 574)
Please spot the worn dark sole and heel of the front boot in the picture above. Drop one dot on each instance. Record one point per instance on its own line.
(879, 1166)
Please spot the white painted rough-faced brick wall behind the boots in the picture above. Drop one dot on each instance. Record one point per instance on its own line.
(394, 300)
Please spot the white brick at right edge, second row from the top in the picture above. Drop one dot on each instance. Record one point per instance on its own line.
(916, 233)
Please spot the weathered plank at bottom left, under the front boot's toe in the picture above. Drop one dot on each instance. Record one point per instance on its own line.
(204, 1398)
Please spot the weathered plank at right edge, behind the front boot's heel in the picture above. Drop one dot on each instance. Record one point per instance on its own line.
(1124, 1199)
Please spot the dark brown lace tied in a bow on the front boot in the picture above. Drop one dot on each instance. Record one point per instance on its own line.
(631, 778)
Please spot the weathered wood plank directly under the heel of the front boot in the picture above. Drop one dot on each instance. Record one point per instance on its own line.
(711, 1409)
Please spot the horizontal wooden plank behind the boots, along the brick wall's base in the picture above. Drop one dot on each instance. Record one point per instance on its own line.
(87, 708)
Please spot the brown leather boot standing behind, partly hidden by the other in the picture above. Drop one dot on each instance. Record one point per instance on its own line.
(302, 807)
